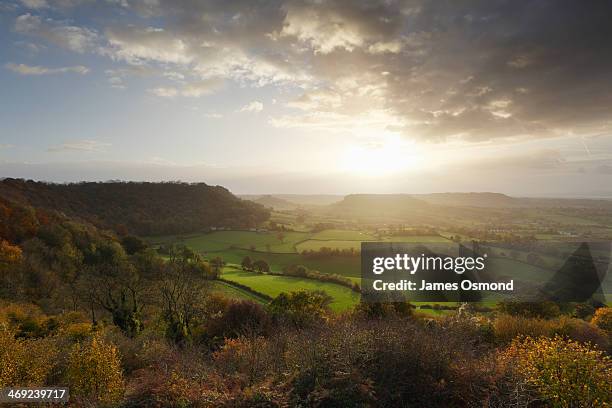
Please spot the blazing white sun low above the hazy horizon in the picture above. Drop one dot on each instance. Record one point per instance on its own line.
(381, 159)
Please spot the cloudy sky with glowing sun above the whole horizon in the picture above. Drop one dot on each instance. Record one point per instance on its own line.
(311, 96)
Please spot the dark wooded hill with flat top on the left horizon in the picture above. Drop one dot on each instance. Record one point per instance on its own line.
(141, 208)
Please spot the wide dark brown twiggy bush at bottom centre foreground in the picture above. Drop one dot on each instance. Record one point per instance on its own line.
(399, 363)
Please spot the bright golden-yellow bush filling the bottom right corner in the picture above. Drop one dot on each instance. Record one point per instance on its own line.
(565, 373)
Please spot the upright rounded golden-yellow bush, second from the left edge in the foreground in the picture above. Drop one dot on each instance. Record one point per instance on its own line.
(94, 371)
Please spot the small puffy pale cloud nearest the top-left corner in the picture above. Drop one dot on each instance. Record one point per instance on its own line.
(74, 38)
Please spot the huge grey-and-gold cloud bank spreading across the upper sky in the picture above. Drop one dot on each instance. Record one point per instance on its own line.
(471, 72)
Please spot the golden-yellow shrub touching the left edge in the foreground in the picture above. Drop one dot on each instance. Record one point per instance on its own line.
(25, 362)
